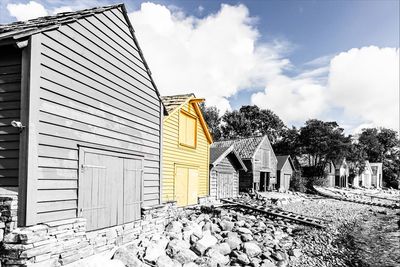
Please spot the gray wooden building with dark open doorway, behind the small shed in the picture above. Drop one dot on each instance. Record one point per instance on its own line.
(260, 161)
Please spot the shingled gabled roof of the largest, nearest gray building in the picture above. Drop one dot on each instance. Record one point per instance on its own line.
(21, 30)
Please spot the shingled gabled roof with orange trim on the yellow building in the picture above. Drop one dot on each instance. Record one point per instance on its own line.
(173, 103)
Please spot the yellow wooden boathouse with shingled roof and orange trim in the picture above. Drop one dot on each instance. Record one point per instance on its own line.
(186, 146)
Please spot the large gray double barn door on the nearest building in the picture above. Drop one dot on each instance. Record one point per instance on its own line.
(110, 188)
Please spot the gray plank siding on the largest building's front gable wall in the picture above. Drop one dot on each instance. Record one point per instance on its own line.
(94, 91)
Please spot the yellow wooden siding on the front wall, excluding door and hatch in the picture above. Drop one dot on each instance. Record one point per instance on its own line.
(175, 154)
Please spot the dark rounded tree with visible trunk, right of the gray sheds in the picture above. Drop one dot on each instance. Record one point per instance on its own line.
(322, 142)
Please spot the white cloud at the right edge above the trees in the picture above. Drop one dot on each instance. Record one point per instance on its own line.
(366, 83)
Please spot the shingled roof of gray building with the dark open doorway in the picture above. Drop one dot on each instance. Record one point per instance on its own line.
(246, 147)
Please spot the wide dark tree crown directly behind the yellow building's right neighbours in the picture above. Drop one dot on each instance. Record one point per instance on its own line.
(252, 121)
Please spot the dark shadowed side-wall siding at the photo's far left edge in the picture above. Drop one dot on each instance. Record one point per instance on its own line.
(10, 97)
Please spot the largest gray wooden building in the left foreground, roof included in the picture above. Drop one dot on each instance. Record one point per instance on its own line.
(80, 119)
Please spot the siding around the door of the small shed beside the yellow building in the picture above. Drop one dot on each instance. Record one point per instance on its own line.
(225, 167)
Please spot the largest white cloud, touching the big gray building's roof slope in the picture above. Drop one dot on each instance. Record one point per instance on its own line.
(214, 57)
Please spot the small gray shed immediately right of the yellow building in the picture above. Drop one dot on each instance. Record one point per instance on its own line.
(225, 164)
